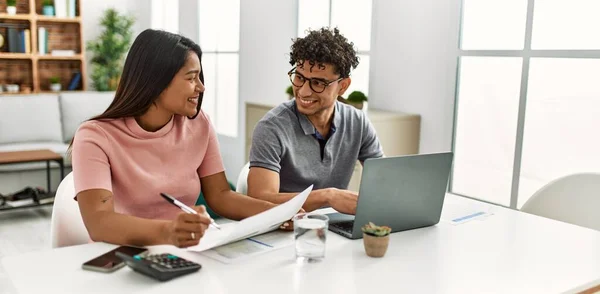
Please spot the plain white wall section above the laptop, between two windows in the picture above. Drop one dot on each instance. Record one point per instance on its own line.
(413, 64)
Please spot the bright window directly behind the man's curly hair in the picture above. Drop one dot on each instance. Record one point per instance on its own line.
(353, 18)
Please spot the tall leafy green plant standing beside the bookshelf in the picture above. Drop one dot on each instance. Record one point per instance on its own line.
(109, 49)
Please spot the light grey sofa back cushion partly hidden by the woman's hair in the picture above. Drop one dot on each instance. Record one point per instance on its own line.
(78, 107)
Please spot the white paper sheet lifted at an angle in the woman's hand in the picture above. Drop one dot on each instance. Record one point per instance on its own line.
(255, 225)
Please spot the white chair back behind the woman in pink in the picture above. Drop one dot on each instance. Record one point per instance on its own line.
(66, 226)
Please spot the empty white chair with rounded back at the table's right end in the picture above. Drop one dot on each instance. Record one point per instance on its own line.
(573, 199)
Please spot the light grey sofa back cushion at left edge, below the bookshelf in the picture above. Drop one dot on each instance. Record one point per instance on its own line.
(30, 118)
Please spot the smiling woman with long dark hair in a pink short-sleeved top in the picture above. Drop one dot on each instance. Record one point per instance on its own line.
(154, 138)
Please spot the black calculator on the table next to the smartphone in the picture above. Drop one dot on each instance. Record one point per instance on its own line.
(162, 267)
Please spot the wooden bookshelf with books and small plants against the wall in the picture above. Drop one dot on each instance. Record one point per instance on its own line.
(33, 69)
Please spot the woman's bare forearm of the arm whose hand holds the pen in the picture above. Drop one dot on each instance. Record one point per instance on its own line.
(116, 228)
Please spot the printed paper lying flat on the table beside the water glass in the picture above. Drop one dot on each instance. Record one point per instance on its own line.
(250, 247)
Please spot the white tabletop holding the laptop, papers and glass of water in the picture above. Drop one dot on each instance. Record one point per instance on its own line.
(509, 252)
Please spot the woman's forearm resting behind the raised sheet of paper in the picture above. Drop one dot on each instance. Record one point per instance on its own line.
(237, 206)
